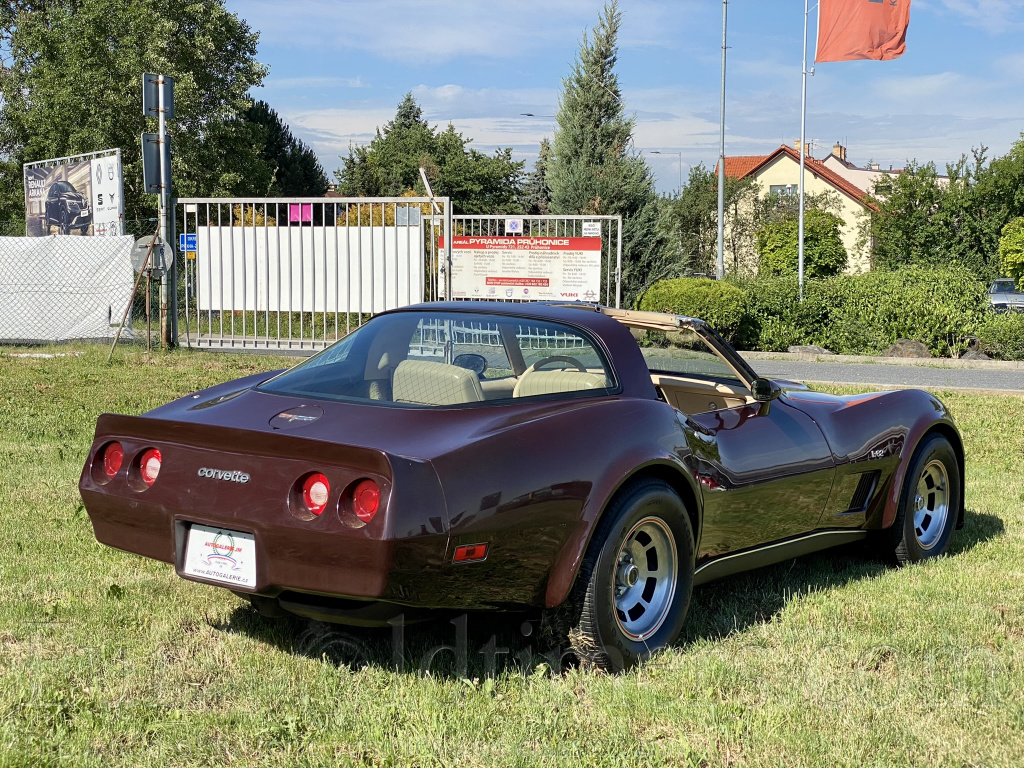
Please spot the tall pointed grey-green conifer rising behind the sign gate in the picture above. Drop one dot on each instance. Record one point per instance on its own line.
(595, 168)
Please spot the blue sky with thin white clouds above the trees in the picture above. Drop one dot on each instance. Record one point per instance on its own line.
(338, 69)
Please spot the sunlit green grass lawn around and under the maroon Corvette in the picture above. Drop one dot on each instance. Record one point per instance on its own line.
(110, 660)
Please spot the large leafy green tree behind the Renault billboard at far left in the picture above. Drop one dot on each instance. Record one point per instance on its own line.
(71, 82)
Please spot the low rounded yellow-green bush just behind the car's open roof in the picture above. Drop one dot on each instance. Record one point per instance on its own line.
(722, 305)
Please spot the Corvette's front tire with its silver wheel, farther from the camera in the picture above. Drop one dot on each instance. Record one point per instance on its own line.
(929, 506)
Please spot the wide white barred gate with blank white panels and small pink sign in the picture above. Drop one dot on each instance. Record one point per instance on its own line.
(297, 274)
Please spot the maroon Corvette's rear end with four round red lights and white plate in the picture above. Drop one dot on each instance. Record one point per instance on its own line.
(266, 514)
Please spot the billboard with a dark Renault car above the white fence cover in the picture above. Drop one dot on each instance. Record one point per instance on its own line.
(75, 198)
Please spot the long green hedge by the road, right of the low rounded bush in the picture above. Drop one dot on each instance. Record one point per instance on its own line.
(866, 314)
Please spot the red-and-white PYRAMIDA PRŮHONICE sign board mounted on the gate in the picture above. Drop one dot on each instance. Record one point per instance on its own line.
(526, 269)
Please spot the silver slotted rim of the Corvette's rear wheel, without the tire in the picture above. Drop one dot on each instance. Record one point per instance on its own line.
(645, 581)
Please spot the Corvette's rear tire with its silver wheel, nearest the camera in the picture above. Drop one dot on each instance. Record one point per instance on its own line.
(601, 634)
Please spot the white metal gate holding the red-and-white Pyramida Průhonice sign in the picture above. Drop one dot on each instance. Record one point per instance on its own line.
(526, 259)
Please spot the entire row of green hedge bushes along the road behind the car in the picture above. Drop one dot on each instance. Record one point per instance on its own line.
(848, 314)
